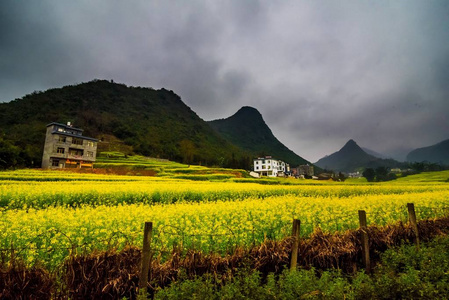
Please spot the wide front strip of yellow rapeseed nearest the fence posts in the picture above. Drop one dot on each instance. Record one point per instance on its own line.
(49, 234)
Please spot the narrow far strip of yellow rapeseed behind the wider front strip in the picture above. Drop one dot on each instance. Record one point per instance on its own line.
(18, 195)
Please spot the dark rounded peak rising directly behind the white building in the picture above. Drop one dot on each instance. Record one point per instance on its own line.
(247, 130)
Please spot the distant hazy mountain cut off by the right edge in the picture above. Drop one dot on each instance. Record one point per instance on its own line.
(438, 153)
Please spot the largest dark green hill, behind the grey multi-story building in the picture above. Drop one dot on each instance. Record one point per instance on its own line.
(150, 122)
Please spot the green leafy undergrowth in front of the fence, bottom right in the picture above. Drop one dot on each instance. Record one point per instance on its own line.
(403, 273)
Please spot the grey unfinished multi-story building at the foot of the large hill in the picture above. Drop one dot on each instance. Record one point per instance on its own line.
(66, 147)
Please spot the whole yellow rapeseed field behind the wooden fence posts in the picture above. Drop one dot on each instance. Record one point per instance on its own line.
(46, 220)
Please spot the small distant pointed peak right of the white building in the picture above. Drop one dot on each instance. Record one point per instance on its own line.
(351, 158)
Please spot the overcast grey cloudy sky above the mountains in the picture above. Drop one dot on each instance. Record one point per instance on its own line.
(319, 72)
